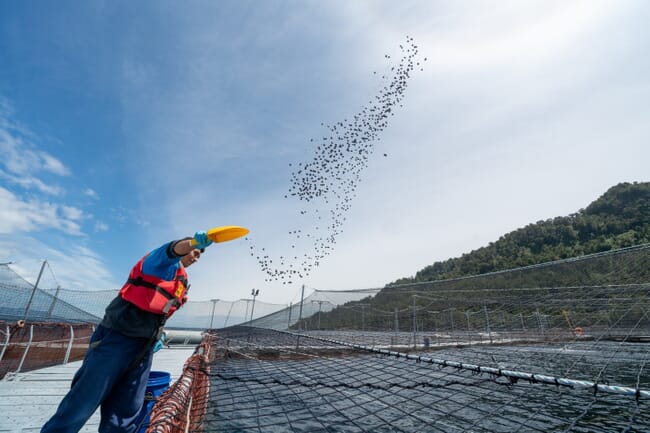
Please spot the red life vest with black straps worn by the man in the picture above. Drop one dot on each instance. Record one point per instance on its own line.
(153, 294)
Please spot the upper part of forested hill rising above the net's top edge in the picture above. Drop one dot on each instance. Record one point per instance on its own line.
(619, 218)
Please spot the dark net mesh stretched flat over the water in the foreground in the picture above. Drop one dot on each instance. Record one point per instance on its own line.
(265, 380)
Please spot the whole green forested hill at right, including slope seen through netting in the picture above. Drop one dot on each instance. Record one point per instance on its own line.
(620, 218)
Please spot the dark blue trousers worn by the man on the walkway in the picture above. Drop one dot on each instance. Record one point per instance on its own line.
(107, 379)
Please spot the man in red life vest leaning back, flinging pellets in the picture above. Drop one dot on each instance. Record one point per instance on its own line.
(116, 368)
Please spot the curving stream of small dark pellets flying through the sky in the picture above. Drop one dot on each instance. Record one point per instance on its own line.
(325, 186)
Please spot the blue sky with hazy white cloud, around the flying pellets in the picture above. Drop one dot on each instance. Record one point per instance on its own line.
(127, 124)
